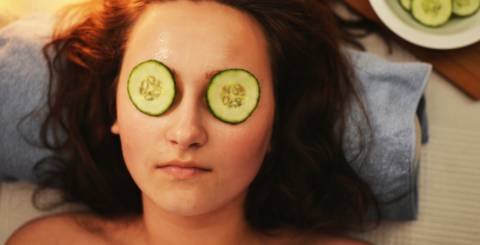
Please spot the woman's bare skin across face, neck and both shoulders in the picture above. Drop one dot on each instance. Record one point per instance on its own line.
(195, 40)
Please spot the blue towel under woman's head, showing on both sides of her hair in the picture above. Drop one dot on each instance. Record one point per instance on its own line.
(391, 91)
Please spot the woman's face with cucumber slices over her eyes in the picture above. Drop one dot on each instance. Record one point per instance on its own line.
(195, 40)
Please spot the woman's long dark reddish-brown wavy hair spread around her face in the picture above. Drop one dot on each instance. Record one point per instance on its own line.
(305, 184)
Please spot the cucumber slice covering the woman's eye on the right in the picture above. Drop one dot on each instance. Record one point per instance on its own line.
(232, 95)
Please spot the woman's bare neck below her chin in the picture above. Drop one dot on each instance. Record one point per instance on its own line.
(225, 225)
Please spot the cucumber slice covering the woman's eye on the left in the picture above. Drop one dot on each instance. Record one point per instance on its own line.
(151, 87)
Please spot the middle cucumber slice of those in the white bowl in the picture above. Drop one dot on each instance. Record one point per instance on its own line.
(432, 13)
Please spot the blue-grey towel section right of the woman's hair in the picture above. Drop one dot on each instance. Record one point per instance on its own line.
(391, 92)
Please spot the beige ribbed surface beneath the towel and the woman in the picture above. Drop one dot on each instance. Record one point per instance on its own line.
(449, 184)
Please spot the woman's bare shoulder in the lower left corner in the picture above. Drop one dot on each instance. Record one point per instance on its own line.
(53, 229)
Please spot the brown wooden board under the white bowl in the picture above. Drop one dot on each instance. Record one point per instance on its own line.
(460, 66)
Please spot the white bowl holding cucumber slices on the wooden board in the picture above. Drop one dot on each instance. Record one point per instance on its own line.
(456, 33)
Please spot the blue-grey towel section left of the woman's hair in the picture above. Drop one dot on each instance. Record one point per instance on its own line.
(23, 86)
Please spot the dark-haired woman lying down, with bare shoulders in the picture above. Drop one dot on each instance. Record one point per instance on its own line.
(186, 177)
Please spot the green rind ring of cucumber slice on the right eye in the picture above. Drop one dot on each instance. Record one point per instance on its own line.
(220, 117)
